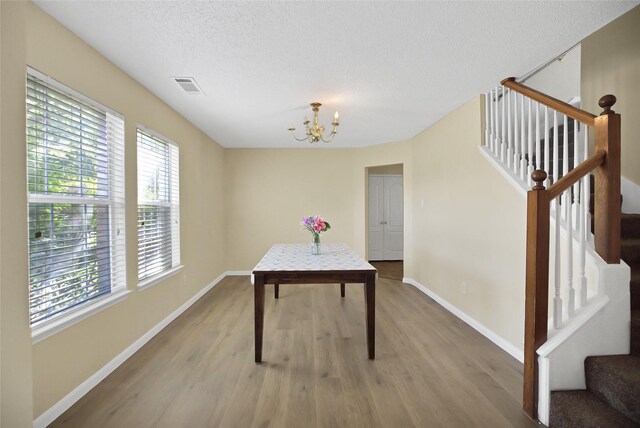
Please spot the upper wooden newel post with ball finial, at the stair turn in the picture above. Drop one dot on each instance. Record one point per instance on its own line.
(607, 187)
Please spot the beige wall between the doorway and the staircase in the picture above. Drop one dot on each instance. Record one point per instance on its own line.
(472, 227)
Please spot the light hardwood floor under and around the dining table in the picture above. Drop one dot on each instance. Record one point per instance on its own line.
(431, 369)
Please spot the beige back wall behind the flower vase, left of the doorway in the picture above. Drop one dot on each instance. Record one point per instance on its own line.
(268, 191)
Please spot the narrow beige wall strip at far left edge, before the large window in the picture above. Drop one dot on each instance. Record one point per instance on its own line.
(16, 399)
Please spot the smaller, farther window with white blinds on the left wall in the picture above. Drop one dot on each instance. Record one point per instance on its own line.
(158, 206)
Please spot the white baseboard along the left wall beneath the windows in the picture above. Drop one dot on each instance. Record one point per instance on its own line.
(81, 390)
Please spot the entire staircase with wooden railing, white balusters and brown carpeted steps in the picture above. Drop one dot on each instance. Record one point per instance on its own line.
(542, 145)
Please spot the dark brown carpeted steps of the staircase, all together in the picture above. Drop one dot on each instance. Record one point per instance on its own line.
(612, 397)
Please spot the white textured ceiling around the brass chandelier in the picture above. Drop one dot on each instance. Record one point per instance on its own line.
(390, 68)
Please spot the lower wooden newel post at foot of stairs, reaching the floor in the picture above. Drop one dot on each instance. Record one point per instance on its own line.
(537, 288)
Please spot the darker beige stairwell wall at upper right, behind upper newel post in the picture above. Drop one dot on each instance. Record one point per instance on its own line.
(611, 65)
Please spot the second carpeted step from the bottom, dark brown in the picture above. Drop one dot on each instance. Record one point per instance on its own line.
(616, 380)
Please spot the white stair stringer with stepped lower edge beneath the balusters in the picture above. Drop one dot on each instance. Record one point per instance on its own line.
(601, 328)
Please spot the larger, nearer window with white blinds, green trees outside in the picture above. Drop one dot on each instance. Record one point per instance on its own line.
(76, 199)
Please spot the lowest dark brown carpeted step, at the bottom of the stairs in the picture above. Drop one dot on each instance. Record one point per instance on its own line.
(580, 408)
